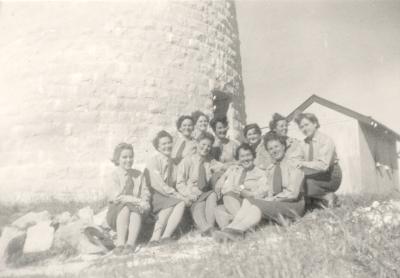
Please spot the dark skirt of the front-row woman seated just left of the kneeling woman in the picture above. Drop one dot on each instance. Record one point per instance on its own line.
(274, 210)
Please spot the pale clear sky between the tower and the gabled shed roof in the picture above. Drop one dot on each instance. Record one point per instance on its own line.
(345, 51)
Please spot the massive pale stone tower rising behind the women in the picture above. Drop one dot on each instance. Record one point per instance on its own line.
(77, 77)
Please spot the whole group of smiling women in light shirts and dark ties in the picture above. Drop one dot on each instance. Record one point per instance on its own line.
(228, 187)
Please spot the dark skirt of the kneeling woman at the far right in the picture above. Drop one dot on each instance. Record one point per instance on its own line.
(322, 183)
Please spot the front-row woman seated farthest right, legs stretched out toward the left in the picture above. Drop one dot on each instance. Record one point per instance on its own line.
(285, 199)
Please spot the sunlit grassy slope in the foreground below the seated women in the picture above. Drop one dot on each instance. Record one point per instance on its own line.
(325, 243)
